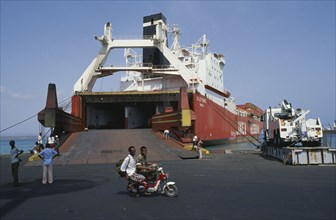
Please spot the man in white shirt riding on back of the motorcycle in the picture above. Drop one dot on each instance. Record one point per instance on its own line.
(129, 166)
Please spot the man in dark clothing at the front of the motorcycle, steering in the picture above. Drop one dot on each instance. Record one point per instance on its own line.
(144, 167)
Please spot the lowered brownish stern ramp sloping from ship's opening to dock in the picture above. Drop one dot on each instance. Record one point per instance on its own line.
(109, 146)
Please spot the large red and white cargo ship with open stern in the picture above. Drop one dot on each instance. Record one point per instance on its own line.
(163, 87)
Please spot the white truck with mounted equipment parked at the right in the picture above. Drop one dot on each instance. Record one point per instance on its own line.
(285, 126)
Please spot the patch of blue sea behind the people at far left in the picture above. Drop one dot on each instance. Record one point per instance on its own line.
(25, 143)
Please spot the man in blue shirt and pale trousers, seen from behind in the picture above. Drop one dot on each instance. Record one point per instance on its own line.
(47, 155)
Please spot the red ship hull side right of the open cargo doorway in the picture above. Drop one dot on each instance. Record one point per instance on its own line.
(211, 122)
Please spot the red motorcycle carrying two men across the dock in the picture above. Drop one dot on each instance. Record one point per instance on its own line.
(159, 185)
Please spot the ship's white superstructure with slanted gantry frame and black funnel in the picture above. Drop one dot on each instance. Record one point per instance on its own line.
(161, 67)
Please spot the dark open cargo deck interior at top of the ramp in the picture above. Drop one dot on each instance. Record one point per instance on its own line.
(125, 110)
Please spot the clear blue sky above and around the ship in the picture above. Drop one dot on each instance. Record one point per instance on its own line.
(274, 50)
